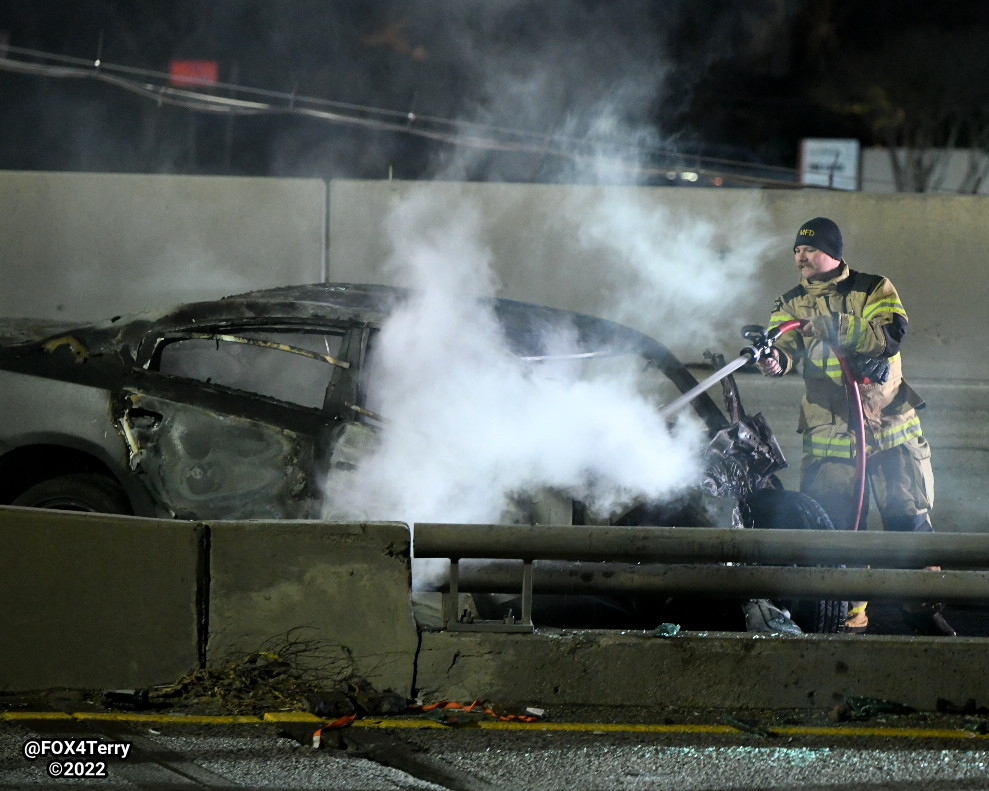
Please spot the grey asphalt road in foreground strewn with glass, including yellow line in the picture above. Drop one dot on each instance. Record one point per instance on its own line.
(647, 750)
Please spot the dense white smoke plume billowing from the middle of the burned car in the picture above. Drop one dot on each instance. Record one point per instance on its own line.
(471, 426)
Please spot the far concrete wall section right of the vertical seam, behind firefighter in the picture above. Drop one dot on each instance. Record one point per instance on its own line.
(932, 247)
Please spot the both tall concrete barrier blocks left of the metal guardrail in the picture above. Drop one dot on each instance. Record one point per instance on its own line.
(94, 601)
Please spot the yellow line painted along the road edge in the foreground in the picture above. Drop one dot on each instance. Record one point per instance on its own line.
(586, 727)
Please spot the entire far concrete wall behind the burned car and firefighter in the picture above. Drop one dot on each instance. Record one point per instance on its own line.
(87, 246)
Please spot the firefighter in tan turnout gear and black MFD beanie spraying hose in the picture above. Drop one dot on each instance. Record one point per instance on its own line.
(863, 316)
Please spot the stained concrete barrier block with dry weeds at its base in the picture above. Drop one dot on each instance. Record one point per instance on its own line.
(344, 588)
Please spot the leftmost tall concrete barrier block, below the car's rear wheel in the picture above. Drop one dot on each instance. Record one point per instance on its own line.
(94, 601)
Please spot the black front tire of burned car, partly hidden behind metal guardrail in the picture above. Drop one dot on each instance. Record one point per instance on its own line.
(779, 509)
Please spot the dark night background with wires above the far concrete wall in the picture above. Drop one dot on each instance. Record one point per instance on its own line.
(493, 89)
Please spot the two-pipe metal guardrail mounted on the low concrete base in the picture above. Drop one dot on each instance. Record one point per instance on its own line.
(700, 561)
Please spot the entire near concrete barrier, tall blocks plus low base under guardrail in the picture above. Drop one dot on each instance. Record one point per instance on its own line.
(95, 602)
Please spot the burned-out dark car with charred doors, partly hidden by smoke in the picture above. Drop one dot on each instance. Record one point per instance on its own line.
(237, 408)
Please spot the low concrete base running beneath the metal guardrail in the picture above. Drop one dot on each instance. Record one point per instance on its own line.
(708, 670)
